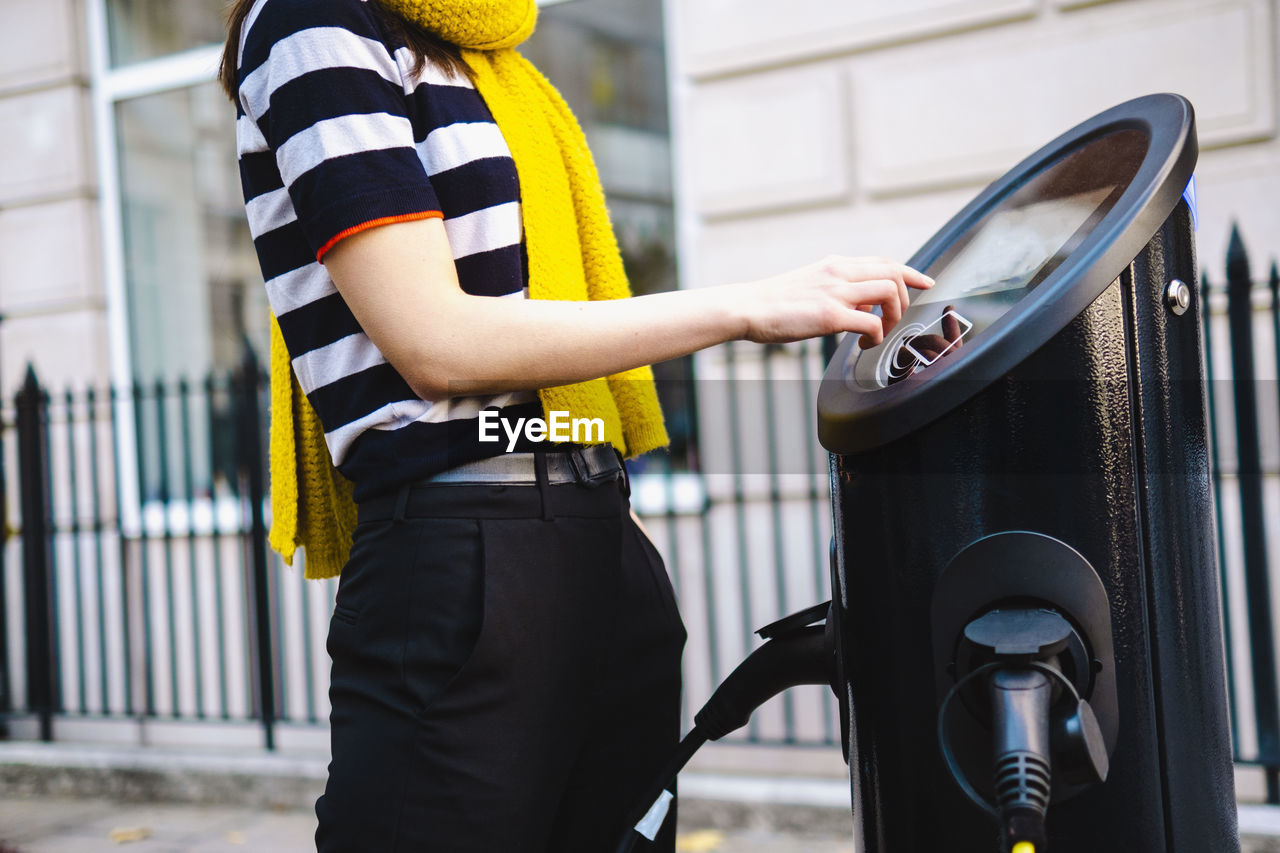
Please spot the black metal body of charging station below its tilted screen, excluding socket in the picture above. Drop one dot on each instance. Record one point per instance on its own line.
(1098, 440)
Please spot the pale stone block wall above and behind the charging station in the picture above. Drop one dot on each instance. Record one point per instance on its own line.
(857, 127)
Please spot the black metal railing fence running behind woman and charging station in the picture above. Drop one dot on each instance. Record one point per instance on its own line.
(136, 583)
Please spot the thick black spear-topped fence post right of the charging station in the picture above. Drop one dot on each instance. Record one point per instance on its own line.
(1240, 288)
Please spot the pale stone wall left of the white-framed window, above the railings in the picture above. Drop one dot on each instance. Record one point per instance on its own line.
(52, 294)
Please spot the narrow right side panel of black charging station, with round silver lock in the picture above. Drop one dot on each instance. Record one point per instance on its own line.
(1180, 551)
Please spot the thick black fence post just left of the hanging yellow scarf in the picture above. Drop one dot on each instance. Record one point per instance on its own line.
(253, 471)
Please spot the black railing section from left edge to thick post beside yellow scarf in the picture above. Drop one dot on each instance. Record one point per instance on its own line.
(141, 536)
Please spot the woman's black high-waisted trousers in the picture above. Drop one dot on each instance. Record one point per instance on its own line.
(506, 674)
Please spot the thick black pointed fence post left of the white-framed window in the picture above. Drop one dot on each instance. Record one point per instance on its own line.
(39, 589)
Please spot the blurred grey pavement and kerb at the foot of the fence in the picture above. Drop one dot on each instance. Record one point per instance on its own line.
(72, 799)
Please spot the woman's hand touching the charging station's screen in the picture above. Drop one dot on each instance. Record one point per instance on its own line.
(834, 295)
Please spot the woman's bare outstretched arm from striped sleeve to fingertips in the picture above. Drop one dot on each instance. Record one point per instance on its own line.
(401, 285)
